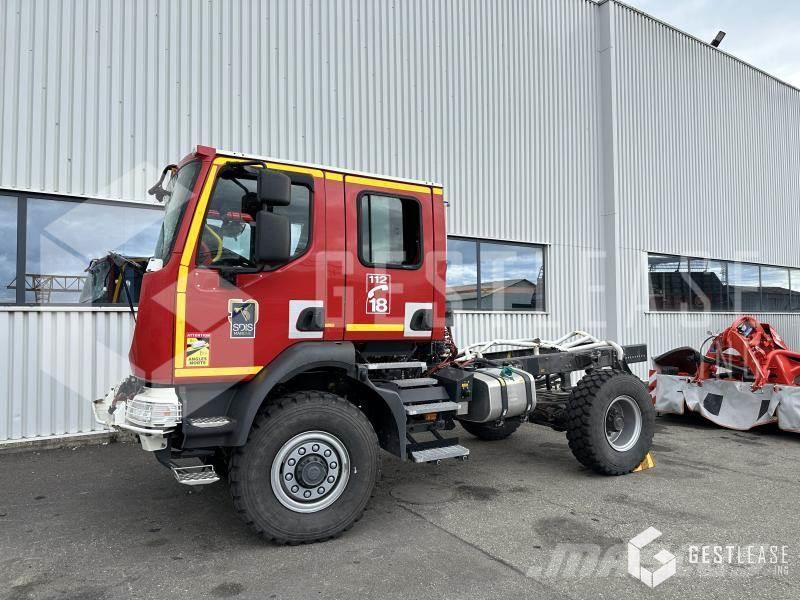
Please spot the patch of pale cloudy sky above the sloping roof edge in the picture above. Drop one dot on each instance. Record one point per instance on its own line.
(763, 33)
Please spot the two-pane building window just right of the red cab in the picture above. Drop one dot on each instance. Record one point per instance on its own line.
(498, 276)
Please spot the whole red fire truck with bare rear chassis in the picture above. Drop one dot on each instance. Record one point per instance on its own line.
(292, 323)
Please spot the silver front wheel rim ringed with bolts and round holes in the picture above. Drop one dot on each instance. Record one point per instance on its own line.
(310, 471)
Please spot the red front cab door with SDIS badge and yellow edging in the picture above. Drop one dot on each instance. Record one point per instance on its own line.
(235, 316)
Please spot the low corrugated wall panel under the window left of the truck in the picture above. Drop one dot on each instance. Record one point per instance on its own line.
(53, 362)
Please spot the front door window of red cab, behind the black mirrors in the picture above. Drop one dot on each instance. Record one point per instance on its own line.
(228, 233)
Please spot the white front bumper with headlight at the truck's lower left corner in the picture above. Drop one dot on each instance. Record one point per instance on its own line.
(153, 413)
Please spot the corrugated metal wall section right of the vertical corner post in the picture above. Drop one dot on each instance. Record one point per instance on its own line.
(707, 162)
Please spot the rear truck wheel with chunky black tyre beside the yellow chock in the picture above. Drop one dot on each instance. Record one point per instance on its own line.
(597, 439)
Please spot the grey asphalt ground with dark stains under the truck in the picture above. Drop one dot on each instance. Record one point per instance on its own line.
(520, 519)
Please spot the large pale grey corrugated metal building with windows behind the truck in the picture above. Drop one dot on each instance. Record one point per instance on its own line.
(643, 173)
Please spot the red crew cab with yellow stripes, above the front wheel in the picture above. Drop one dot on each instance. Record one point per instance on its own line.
(361, 262)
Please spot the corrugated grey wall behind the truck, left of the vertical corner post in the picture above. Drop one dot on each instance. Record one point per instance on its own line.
(495, 100)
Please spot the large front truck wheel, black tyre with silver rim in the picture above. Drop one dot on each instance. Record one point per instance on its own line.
(302, 426)
